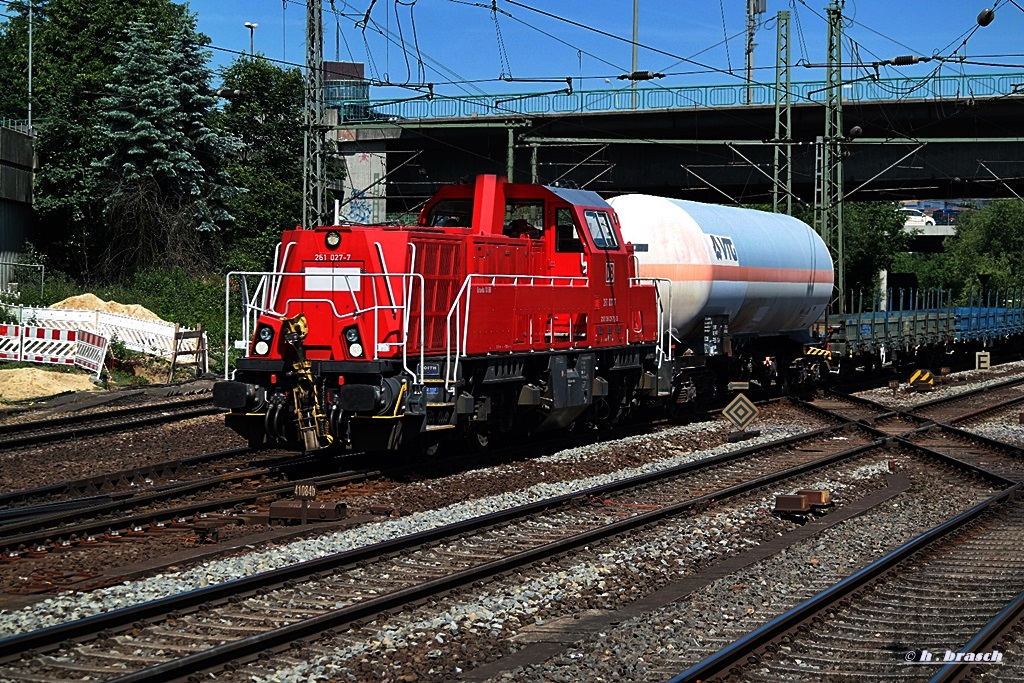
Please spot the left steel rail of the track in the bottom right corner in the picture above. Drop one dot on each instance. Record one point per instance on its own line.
(736, 655)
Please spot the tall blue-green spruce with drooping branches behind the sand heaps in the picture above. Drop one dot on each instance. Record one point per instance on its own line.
(160, 173)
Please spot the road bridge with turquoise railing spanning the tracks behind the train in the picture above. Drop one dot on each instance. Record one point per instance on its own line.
(950, 137)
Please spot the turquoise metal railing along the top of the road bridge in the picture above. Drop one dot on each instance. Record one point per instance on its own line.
(705, 97)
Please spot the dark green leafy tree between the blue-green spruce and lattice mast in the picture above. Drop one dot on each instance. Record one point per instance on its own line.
(265, 111)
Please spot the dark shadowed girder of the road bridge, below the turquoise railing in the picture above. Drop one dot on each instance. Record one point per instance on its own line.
(967, 150)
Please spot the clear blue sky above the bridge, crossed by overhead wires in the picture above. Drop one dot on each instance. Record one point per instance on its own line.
(459, 41)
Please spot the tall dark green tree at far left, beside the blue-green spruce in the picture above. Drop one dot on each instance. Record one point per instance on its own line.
(75, 48)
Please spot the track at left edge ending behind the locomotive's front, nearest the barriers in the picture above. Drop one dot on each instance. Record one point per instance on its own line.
(26, 435)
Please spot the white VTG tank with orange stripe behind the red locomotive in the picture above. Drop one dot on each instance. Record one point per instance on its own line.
(771, 274)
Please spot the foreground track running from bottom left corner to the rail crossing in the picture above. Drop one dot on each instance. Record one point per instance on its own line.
(302, 602)
